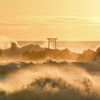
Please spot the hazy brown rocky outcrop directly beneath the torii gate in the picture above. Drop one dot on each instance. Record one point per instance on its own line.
(54, 54)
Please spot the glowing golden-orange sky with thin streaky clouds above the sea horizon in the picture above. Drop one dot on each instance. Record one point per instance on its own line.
(36, 20)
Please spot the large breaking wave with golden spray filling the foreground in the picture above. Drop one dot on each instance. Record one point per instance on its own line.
(49, 80)
